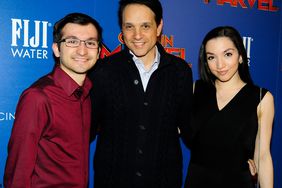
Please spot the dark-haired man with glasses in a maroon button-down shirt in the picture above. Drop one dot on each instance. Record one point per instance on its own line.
(49, 144)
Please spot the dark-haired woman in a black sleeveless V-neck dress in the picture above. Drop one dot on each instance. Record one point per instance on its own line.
(232, 117)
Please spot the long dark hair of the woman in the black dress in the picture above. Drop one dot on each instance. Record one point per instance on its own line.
(235, 37)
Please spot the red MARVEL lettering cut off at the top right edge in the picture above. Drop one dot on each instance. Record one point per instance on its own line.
(265, 5)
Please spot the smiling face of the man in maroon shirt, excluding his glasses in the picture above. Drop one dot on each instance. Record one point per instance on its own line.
(78, 60)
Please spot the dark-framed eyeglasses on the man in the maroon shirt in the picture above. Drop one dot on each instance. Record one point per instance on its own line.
(73, 43)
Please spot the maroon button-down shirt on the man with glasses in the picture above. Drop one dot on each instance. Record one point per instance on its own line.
(49, 143)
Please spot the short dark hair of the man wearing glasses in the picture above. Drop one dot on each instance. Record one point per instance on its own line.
(76, 18)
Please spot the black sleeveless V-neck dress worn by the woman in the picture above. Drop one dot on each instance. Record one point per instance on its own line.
(223, 140)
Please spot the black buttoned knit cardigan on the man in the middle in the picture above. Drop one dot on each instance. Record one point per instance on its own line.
(138, 141)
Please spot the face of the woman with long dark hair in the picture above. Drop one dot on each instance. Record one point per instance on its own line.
(223, 59)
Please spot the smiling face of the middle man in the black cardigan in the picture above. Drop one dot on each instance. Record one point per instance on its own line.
(140, 31)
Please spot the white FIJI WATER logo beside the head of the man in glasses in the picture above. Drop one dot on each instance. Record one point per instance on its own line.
(29, 39)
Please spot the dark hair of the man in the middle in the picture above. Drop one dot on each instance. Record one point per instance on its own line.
(154, 5)
